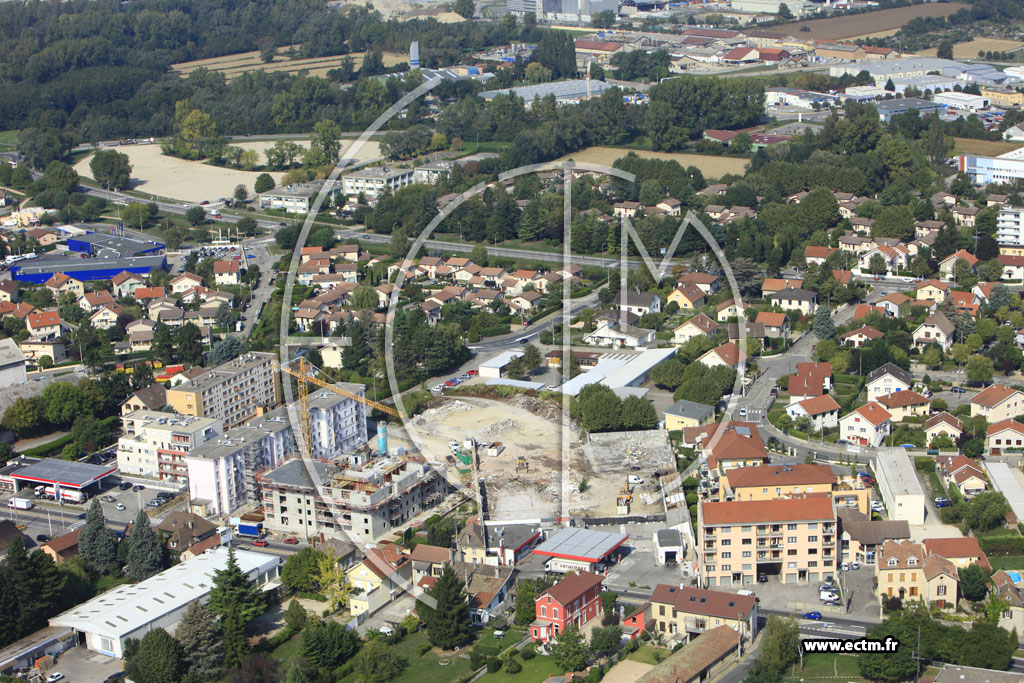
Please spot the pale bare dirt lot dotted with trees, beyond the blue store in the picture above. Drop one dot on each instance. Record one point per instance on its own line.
(158, 175)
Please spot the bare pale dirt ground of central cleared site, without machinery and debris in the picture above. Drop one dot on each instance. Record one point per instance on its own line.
(533, 429)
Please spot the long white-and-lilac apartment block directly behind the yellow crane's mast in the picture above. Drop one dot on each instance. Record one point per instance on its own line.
(225, 474)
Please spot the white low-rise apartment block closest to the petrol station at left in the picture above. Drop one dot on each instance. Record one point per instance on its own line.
(156, 445)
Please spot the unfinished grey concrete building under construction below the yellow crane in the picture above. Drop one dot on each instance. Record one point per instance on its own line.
(365, 495)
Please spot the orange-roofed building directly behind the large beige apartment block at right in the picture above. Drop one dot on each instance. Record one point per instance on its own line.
(770, 483)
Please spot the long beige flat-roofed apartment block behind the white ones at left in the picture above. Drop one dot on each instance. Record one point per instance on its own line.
(234, 393)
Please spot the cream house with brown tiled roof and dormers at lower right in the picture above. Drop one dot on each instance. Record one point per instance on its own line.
(906, 570)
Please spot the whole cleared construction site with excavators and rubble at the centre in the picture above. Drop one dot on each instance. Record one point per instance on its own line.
(525, 468)
